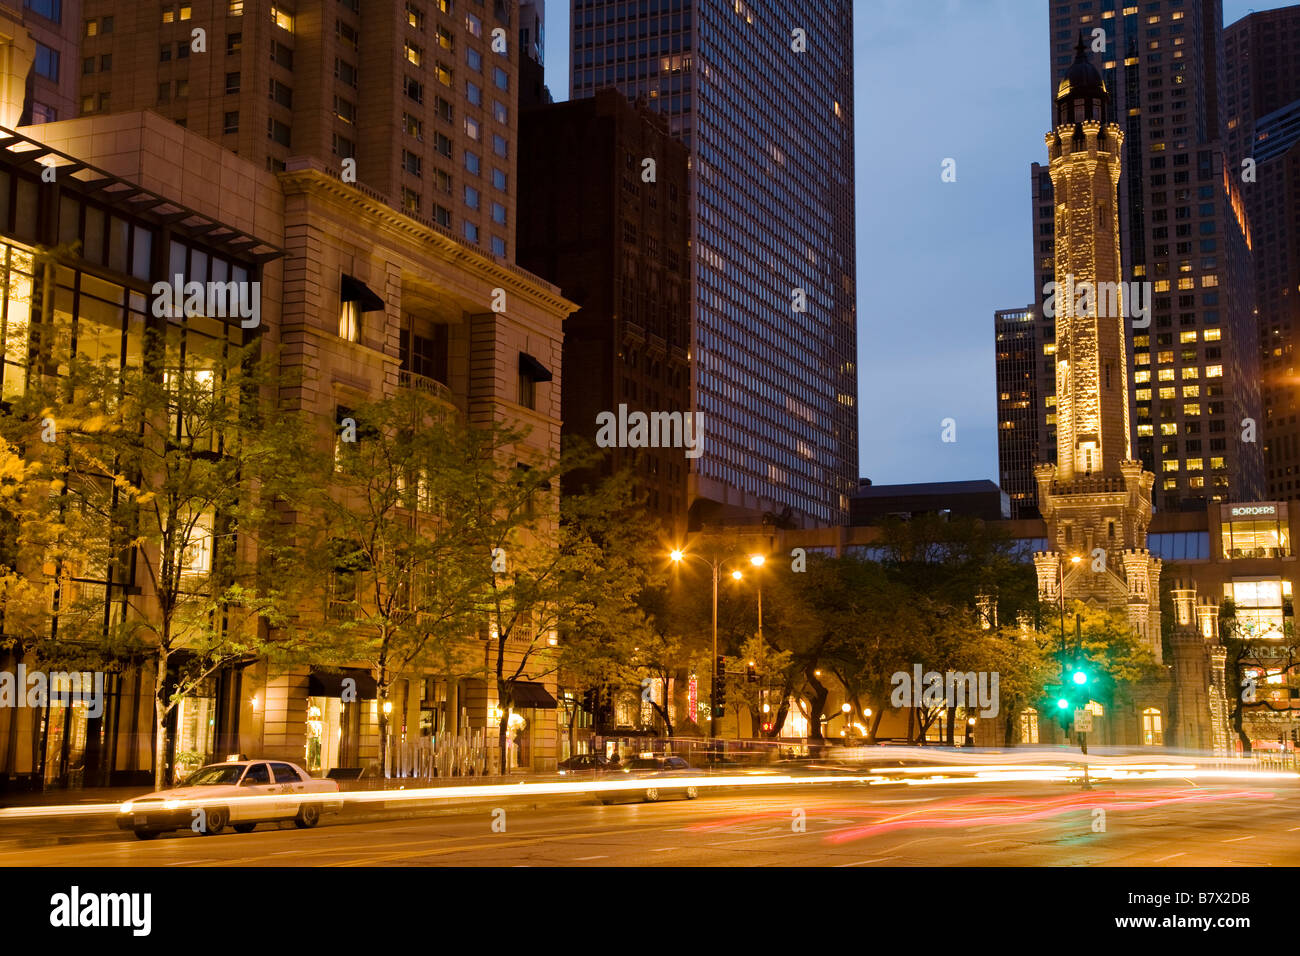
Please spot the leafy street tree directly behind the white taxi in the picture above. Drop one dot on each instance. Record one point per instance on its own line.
(167, 478)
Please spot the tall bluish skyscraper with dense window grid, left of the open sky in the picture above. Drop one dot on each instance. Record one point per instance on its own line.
(764, 101)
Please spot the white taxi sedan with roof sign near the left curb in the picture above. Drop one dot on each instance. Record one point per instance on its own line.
(241, 793)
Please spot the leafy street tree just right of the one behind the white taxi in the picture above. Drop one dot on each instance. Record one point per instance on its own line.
(392, 538)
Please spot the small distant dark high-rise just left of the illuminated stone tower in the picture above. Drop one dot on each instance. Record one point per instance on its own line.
(1022, 422)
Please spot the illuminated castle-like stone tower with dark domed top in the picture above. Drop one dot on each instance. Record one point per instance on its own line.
(1097, 500)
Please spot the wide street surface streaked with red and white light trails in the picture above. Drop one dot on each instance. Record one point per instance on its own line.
(1238, 823)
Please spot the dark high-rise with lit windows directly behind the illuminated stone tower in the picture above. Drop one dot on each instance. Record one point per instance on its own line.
(1194, 370)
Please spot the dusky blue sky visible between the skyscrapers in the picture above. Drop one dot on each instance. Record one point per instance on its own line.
(967, 80)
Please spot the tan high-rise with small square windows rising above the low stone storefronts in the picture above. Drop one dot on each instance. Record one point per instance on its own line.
(421, 94)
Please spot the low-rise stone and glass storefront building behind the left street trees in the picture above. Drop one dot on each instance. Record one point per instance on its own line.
(358, 297)
